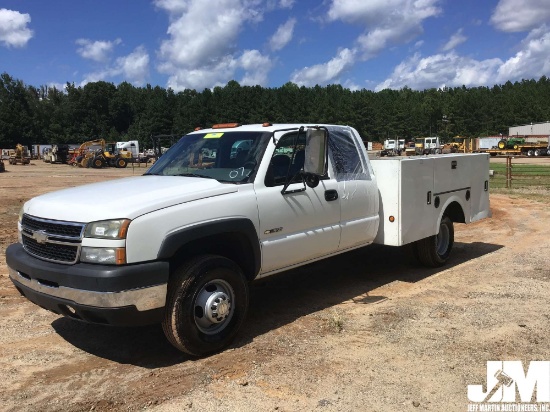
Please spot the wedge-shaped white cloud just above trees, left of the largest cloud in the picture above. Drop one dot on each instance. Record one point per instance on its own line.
(133, 68)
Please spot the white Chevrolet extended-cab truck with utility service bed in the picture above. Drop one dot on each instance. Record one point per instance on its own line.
(225, 206)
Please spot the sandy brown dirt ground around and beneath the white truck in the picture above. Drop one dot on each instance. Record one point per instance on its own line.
(365, 331)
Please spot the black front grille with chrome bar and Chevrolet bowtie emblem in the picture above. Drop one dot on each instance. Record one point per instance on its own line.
(52, 240)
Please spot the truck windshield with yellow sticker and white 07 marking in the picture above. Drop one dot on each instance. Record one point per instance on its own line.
(230, 157)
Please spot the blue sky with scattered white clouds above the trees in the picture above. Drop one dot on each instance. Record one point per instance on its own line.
(197, 44)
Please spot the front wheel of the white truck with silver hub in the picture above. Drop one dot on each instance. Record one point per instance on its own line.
(206, 305)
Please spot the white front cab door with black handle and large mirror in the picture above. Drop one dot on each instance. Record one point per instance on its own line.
(301, 224)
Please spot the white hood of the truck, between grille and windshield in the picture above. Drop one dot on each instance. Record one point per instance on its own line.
(123, 198)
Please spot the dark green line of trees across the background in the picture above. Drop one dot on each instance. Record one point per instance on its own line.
(46, 115)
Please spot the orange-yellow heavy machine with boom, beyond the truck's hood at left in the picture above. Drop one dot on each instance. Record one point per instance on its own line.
(97, 154)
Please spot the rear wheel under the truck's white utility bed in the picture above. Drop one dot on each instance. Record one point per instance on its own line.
(434, 251)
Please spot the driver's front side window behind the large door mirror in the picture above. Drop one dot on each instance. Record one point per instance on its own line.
(287, 160)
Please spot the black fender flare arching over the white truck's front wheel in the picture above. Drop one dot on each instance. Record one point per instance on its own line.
(242, 229)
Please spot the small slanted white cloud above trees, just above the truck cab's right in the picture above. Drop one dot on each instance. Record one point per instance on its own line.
(327, 72)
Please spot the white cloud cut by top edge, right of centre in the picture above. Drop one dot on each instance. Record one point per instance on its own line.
(386, 22)
